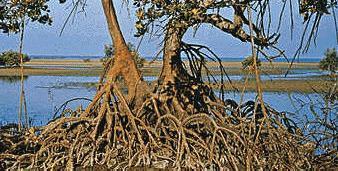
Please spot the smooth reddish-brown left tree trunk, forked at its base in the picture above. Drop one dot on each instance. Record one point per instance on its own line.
(124, 64)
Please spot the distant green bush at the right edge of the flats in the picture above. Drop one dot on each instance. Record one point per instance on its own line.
(329, 63)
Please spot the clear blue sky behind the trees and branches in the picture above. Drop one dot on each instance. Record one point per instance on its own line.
(86, 35)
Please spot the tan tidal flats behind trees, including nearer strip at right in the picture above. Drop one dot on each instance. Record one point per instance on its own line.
(77, 67)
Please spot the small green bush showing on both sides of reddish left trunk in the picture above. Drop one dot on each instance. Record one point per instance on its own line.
(109, 51)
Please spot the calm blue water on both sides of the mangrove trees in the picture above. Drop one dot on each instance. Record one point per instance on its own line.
(45, 94)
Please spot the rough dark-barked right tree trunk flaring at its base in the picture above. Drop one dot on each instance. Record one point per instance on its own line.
(179, 93)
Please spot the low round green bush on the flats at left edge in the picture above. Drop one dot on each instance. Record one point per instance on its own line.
(11, 58)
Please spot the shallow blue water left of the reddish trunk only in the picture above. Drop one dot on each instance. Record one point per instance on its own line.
(44, 94)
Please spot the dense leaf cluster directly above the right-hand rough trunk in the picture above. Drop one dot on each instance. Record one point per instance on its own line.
(182, 13)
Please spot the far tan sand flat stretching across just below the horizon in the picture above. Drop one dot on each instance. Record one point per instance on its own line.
(94, 67)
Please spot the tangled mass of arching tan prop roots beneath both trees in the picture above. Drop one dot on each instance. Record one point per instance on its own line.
(164, 133)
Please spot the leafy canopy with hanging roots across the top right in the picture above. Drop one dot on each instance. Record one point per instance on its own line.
(183, 14)
